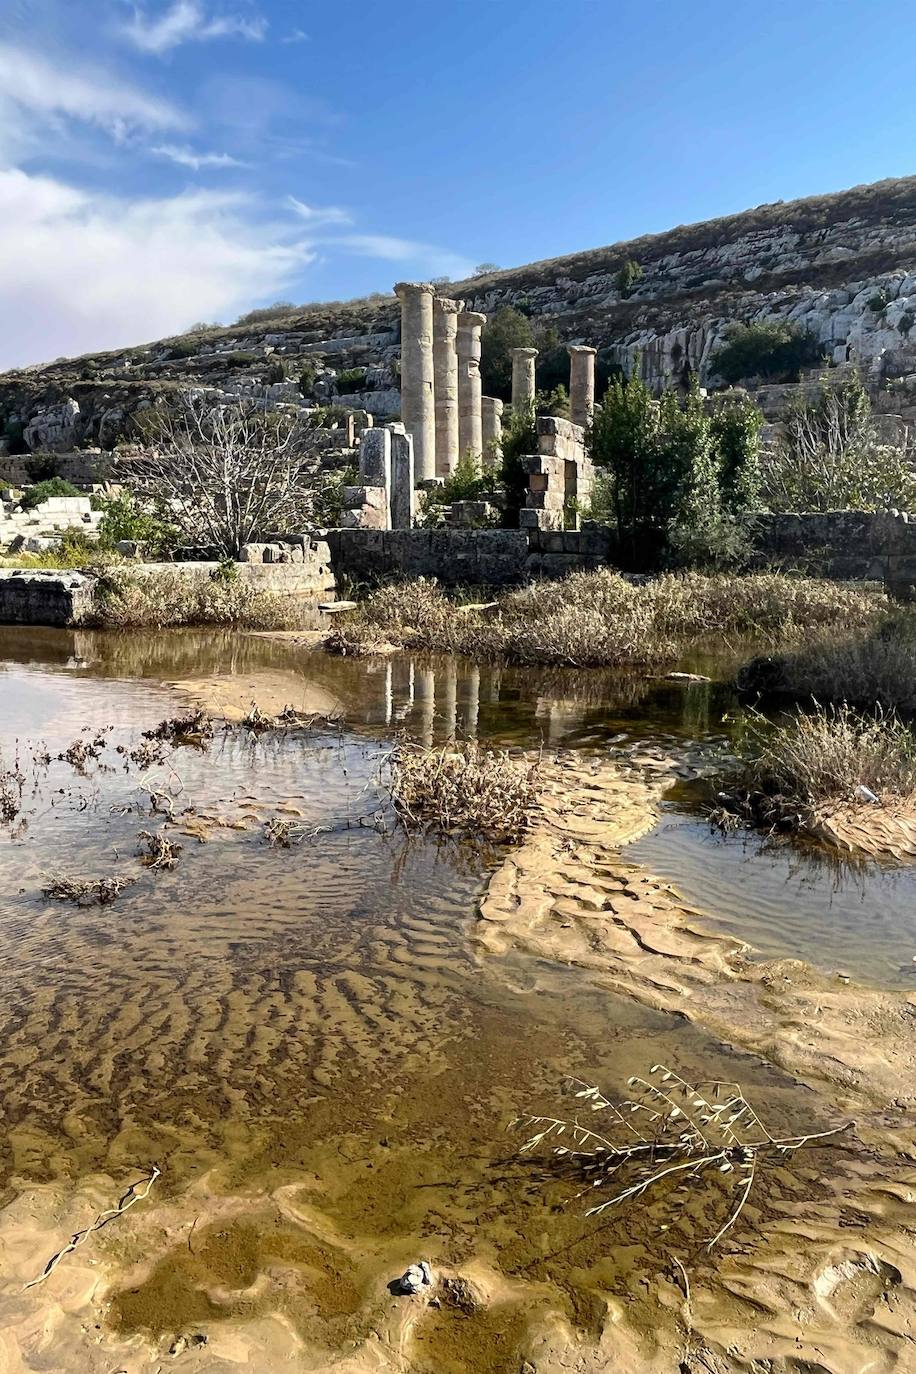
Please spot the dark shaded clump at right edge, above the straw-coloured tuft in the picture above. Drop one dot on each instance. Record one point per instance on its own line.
(874, 670)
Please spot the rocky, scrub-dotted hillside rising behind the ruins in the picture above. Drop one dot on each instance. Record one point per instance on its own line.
(844, 267)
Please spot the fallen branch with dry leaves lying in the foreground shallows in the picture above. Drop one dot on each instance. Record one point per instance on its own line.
(669, 1133)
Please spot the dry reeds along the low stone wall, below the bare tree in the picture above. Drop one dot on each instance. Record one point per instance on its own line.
(128, 601)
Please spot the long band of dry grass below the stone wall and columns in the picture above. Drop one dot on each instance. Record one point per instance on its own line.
(601, 619)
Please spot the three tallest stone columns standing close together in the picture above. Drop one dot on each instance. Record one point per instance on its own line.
(442, 395)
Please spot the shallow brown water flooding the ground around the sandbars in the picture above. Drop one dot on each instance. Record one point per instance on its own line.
(319, 1013)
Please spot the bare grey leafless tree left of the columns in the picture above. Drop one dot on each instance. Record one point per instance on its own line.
(226, 473)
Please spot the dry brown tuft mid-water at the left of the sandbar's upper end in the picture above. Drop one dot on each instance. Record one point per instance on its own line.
(465, 791)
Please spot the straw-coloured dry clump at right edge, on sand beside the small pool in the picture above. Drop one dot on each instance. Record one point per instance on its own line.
(793, 770)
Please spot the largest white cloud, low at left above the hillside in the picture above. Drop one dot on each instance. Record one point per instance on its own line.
(80, 271)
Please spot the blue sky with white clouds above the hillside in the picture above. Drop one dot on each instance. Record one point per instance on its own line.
(171, 161)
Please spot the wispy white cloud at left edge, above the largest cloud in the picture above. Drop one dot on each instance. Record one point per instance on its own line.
(35, 90)
